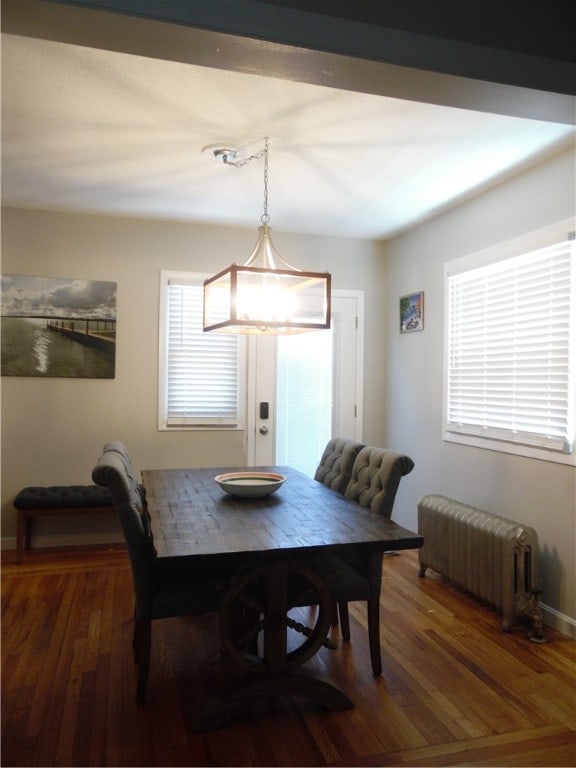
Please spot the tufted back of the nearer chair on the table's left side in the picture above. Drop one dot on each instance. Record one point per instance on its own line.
(111, 472)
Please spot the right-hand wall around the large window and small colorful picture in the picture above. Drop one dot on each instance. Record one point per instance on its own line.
(538, 493)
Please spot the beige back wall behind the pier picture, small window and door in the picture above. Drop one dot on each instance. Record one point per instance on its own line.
(53, 429)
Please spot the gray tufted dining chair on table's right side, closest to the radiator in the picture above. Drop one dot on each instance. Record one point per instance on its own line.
(376, 475)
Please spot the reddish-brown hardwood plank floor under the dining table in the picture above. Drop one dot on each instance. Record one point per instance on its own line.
(455, 689)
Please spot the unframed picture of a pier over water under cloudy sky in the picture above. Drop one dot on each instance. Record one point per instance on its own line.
(58, 327)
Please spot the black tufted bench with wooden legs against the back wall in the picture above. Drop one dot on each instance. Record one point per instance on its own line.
(36, 501)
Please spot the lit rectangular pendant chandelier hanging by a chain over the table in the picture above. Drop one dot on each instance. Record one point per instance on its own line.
(265, 295)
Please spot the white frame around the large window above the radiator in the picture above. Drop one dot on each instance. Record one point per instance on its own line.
(543, 238)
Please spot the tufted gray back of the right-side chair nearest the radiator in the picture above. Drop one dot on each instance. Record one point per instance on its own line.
(376, 475)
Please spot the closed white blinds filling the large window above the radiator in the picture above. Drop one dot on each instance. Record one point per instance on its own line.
(510, 347)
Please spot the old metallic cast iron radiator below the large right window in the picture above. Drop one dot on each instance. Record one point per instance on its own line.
(493, 558)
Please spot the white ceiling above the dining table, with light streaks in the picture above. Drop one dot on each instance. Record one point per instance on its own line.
(106, 131)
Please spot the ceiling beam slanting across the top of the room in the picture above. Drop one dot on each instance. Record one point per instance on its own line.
(192, 33)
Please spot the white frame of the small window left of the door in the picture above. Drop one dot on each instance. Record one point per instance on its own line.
(195, 278)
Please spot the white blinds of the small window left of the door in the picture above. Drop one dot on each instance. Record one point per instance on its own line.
(201, 374)
